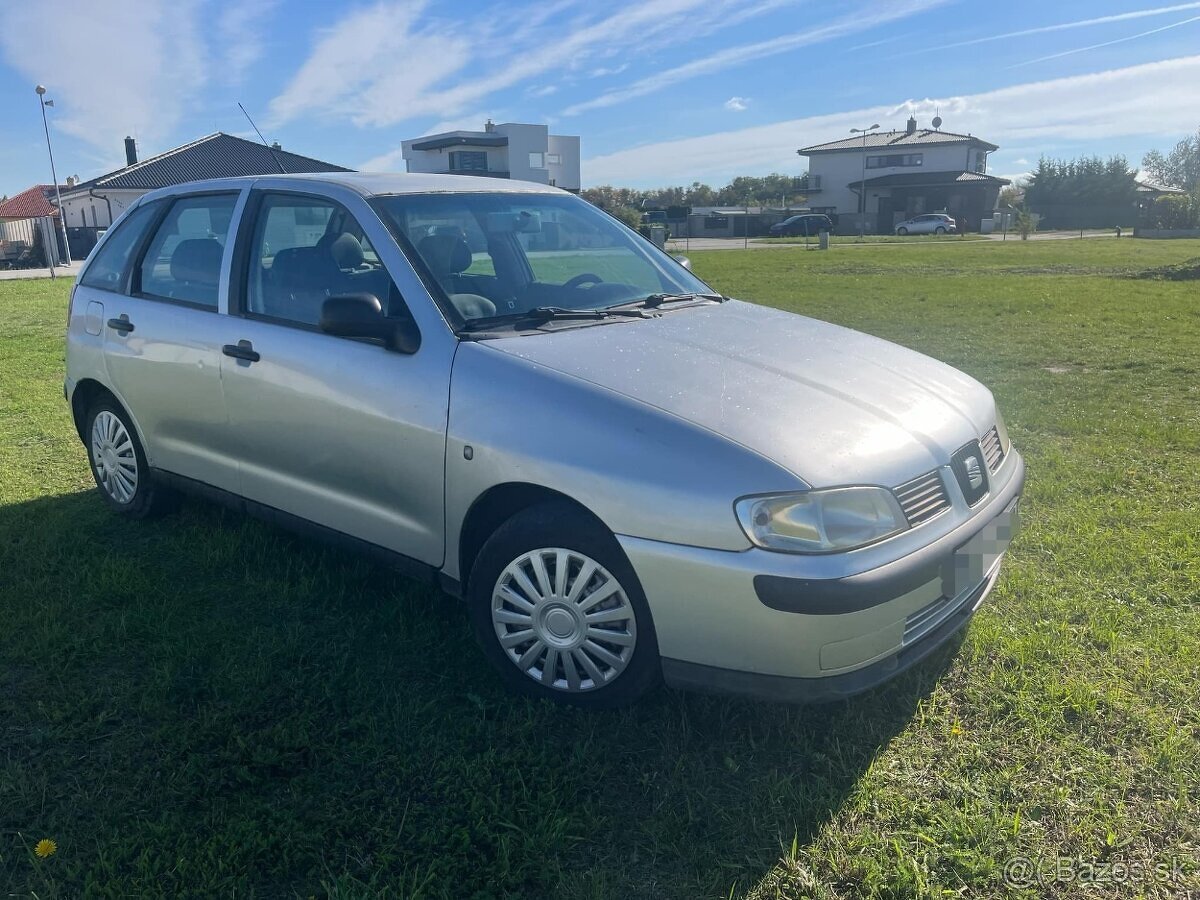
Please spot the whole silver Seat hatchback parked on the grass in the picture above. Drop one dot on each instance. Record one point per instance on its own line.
(505, 392)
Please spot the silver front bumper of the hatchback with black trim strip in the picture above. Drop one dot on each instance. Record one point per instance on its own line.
(817, 628)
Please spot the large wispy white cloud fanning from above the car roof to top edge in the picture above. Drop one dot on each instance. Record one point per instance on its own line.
(388, 63)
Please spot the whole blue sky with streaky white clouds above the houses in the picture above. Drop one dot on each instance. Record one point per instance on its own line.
(661, 92)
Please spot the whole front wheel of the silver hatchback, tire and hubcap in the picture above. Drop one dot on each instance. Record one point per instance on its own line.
(560, 611)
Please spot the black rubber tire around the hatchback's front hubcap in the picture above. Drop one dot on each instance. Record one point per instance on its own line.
(559, 525)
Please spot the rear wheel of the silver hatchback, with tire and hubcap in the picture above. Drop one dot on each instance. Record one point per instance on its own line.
(119, 464)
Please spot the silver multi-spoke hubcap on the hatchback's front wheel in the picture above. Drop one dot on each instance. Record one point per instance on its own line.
(563, 620)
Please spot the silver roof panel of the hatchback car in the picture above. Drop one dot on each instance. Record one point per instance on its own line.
(374, 184)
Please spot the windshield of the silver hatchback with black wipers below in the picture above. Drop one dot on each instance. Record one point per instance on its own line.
(508, 254)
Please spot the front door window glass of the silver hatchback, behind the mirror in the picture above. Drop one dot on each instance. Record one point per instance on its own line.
(307, 250)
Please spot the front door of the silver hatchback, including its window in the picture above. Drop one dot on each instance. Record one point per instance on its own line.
(339, 431)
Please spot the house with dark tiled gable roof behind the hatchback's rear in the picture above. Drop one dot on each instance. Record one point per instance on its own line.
(97, 203)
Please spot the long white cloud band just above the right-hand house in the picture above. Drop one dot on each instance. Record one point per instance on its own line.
(1103, 105)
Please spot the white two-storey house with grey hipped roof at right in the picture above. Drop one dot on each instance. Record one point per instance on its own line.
(909, 173)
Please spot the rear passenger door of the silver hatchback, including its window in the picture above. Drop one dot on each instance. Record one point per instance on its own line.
(163, 340)
